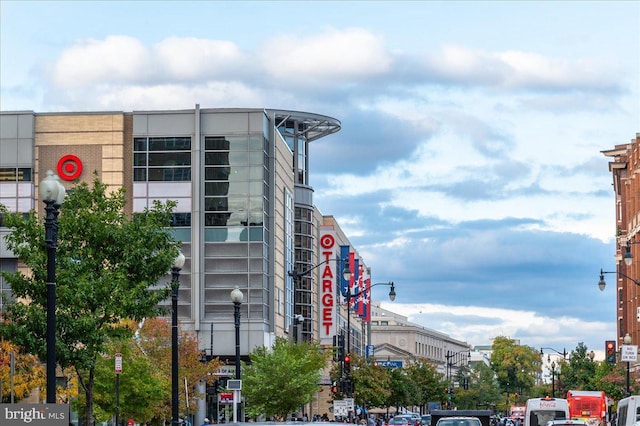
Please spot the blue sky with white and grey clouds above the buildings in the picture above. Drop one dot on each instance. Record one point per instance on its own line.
(468, 169)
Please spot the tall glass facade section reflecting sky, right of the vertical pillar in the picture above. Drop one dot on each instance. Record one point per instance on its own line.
(236, 209)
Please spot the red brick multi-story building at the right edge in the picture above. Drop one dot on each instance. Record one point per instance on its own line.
(625, 169)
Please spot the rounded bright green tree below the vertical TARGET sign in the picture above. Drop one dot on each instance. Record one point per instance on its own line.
(282, 378)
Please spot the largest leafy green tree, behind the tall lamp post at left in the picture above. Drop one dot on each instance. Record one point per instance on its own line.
(108, 268)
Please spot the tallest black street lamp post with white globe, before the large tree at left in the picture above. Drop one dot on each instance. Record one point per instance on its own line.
(52, 193)
